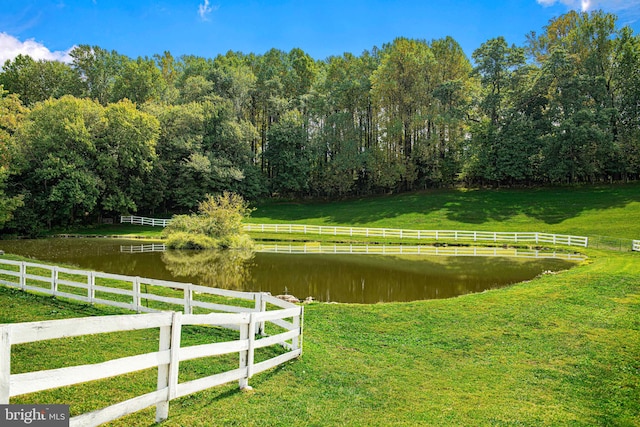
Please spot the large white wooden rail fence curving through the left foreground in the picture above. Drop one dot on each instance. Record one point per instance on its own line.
(249, 321)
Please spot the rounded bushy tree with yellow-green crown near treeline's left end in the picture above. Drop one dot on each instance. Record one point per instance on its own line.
(57, 161)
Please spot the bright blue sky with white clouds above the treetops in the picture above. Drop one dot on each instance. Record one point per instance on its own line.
(49, 29)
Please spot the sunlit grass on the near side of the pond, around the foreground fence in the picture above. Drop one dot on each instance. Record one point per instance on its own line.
(560, 350)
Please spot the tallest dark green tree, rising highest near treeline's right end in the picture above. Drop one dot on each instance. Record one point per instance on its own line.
(577, 56)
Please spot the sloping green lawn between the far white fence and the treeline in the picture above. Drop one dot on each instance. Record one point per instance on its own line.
(609, 210)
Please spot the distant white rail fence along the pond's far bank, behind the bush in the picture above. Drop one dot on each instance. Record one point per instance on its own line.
(448, 235)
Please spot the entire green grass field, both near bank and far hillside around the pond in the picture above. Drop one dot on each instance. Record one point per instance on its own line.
(560, 350)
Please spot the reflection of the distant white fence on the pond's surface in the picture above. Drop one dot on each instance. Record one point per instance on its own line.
(385, 250)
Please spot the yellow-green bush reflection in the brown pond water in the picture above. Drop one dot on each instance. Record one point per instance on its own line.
(225, 269)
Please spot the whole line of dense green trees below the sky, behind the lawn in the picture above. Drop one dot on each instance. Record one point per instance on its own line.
(107, 134)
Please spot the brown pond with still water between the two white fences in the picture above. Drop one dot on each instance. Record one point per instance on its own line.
(328, 278)
